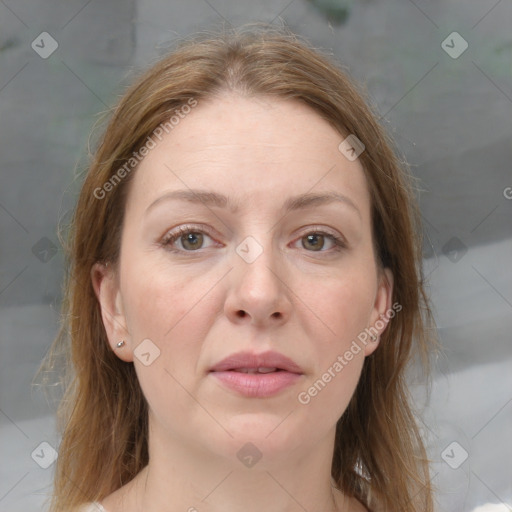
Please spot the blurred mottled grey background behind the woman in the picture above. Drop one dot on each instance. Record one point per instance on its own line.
(451, 118)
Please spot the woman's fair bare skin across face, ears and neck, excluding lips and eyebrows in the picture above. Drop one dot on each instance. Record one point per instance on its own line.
(300, 297)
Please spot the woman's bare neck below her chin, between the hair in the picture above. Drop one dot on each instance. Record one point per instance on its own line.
(195, 478)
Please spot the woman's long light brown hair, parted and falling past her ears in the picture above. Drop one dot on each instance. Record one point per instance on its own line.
(379, 456)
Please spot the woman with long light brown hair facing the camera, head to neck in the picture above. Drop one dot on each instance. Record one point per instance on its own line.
(244, 295)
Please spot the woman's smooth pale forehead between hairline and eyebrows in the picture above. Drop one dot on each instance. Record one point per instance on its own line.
(256, 151)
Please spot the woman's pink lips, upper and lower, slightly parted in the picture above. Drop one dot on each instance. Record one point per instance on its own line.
(257, 375)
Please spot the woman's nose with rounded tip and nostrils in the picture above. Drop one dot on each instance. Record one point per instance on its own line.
(258, 292)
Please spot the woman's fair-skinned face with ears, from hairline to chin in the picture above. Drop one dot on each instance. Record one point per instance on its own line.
(262, 266)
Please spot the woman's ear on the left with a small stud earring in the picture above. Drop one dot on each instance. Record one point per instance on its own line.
(106, 287)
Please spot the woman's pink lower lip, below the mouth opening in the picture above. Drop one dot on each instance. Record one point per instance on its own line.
(257, 385)
